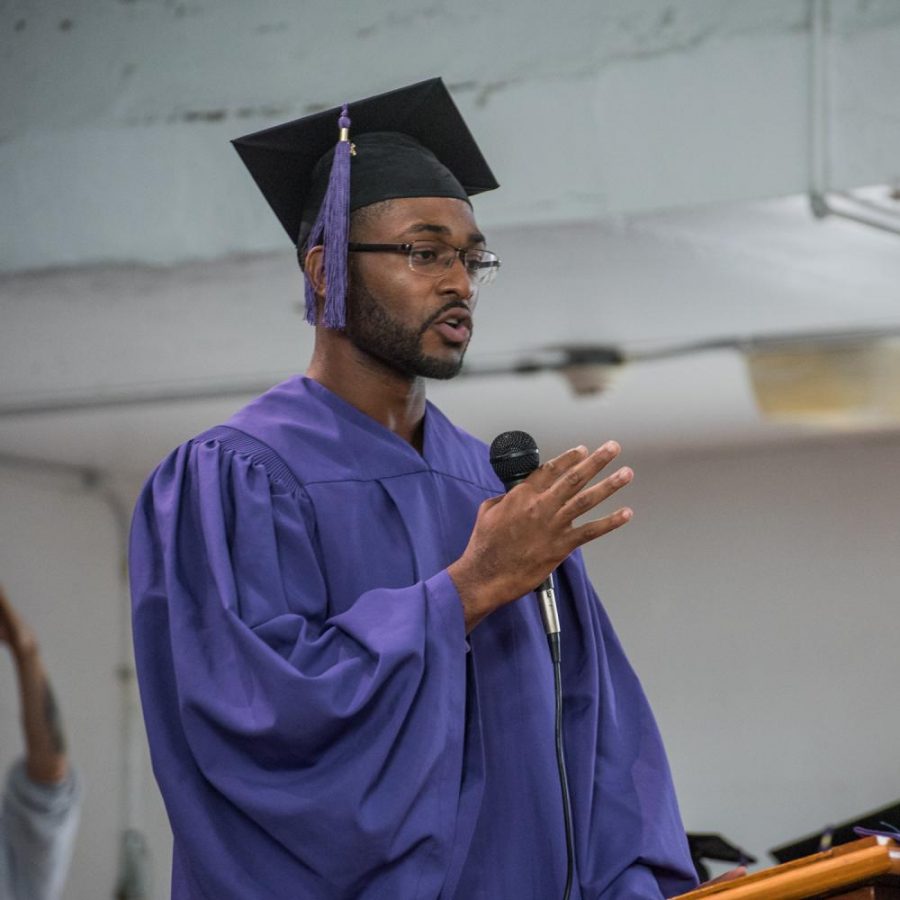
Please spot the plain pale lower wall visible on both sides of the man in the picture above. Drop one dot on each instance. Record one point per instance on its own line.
(755, 593)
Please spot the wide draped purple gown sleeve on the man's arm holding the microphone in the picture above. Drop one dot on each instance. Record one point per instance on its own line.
(299, 754)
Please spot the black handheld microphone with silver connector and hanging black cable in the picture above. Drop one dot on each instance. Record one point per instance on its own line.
(514, 456)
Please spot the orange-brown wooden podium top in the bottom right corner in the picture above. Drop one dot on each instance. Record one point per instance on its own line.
(868, 869)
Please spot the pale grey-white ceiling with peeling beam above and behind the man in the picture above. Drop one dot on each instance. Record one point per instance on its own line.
(639, 144)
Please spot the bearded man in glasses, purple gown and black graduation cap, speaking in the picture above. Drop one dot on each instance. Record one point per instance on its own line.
(343, 670)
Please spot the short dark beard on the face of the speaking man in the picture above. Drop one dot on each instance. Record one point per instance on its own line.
(372, 329)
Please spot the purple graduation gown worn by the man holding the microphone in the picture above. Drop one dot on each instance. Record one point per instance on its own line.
(319, 724)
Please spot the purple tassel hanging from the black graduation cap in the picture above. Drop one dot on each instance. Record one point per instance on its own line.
(332, 228)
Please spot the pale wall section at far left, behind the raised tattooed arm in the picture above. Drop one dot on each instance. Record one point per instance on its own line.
(59, 566)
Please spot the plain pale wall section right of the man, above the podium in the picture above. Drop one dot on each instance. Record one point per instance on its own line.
(757, 596)
